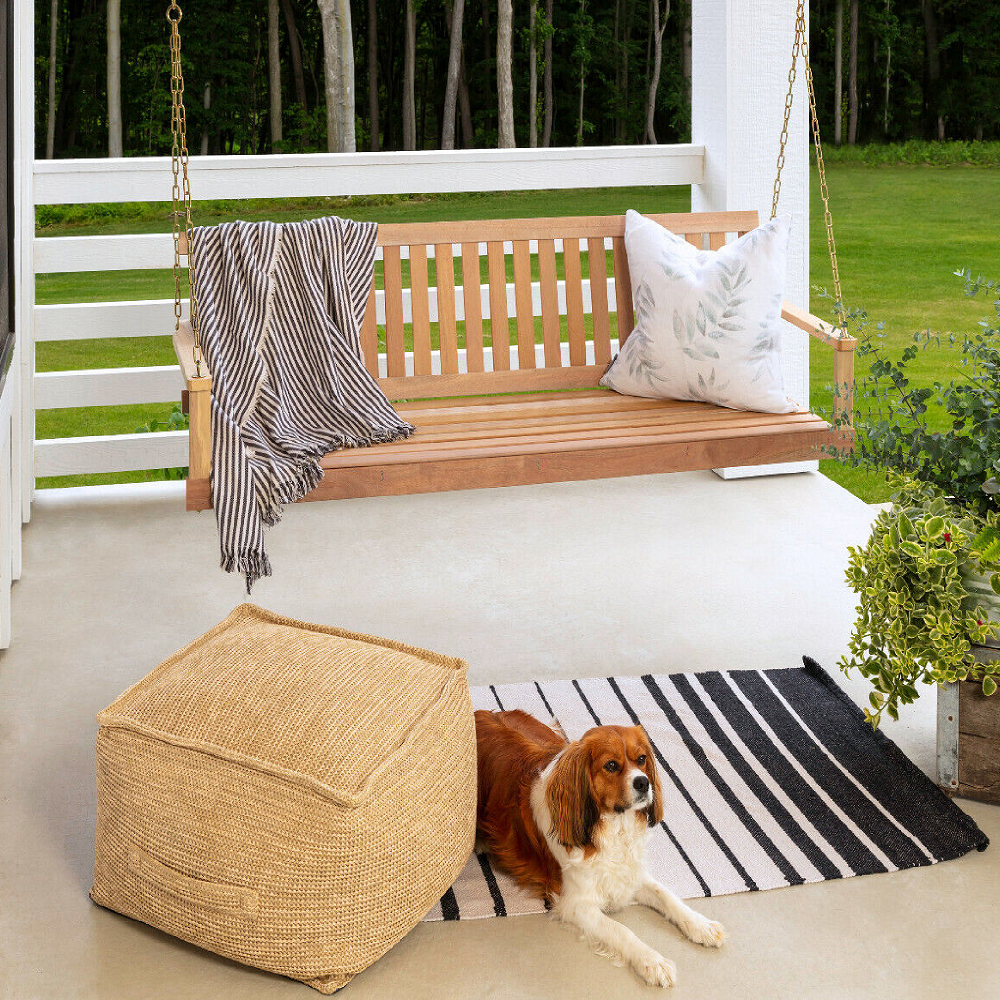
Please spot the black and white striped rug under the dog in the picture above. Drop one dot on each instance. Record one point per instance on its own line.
(770, 778)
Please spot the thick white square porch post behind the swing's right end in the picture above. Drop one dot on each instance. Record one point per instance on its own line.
(741, 51)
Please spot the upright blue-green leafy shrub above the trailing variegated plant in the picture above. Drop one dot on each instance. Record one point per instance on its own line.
(947, 434)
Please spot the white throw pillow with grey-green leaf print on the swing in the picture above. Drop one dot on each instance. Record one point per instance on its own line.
(707, 322)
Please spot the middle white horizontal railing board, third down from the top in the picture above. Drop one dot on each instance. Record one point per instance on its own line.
(155, 317)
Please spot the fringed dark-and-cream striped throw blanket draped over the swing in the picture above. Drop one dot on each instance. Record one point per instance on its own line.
(281, 308)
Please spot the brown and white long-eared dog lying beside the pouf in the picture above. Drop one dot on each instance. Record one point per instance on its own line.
(569, 822)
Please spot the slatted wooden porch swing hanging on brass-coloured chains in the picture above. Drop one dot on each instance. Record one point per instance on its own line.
(498, 425)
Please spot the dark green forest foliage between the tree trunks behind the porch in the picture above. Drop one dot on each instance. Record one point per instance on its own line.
(225, 50)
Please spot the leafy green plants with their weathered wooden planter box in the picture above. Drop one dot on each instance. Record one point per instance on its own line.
(928, 579)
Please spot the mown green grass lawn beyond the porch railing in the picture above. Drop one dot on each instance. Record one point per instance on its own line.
(901, 232)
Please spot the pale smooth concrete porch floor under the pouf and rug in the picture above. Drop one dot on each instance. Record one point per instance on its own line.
(660, 573)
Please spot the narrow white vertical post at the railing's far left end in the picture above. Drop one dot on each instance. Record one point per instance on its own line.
(24, 232)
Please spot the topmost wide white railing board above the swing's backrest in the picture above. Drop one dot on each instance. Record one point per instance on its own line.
(306, 175)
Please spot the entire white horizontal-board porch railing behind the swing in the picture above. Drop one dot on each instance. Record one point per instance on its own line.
(231, 177)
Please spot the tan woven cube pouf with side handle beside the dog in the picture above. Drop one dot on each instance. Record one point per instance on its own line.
(287, 795)
